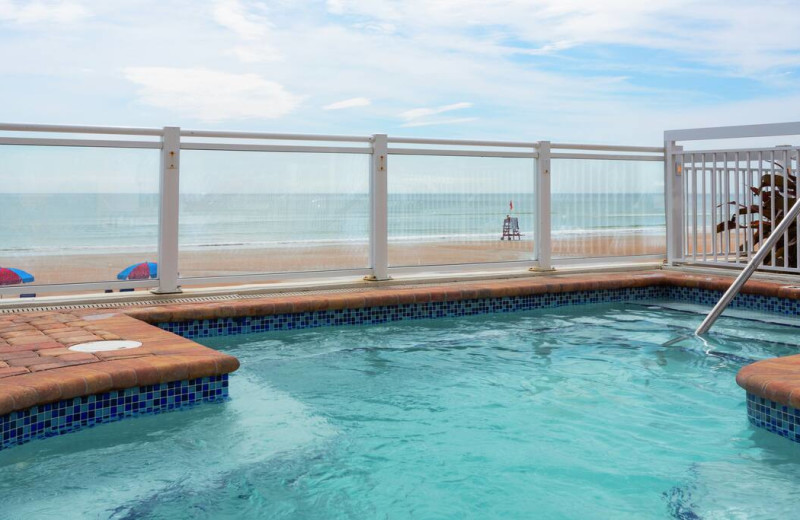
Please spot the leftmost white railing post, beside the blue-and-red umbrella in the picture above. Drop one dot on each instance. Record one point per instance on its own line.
(168, 210)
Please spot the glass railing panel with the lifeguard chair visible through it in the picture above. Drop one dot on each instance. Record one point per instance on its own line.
(453, 210)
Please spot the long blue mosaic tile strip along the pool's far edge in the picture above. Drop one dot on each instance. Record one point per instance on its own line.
(412, 311)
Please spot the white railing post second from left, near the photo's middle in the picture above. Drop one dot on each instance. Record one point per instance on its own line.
(379, 213)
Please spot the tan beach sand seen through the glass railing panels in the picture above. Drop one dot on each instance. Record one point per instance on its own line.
(236, 261)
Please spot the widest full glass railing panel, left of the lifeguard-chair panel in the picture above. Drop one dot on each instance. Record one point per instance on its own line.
(261, 212)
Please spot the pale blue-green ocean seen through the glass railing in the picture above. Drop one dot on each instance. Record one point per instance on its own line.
(55, 224)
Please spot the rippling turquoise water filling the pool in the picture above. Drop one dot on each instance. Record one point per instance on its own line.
(564, 413)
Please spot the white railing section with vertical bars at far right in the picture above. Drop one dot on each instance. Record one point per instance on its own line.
(724, 202)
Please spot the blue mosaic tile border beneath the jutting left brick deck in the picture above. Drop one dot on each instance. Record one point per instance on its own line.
(71, 415)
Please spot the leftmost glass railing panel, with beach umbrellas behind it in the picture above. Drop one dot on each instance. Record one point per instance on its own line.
(72, 214)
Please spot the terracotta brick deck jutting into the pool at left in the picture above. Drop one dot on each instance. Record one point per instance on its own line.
(36, 366)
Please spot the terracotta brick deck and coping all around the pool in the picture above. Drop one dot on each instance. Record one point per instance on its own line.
(37, 368)
